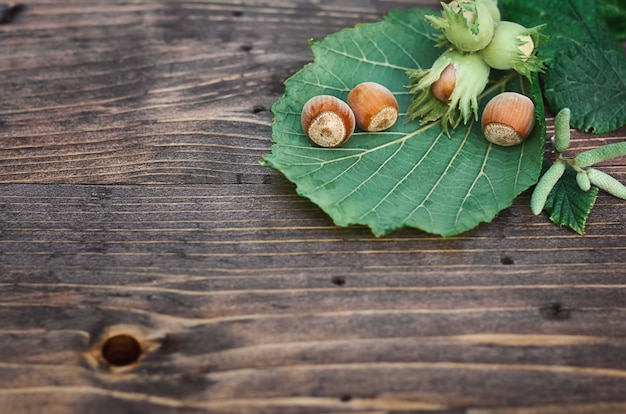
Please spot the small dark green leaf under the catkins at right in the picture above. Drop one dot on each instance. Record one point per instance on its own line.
(567, 204)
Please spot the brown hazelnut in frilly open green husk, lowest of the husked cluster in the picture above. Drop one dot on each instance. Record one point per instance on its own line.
(449, 90)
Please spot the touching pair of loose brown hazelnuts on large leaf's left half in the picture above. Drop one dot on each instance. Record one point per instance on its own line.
(329, 122)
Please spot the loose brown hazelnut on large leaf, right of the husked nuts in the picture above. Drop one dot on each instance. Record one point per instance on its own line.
(508, 119)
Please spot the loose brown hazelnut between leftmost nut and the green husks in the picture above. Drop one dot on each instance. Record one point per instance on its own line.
(375, 108)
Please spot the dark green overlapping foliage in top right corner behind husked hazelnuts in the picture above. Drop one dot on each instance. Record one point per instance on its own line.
(587, 68)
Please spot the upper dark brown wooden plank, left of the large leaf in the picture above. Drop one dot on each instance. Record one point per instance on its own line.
(170, 92)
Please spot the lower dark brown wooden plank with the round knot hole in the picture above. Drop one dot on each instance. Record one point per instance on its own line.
(242, 302)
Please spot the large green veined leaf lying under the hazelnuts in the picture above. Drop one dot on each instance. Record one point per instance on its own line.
(411, 175)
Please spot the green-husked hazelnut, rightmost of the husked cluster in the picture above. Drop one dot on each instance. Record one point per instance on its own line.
(513, 46)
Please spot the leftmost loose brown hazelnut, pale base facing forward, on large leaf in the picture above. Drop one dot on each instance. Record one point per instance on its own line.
(327, 120)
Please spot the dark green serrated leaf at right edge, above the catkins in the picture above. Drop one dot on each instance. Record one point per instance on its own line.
(592, 83)
